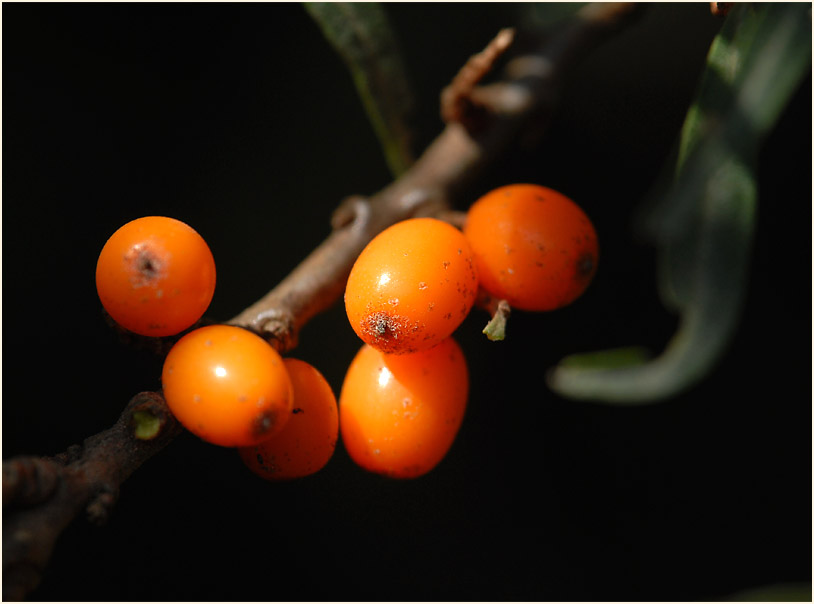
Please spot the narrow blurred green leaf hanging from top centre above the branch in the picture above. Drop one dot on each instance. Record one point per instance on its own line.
(361, 33)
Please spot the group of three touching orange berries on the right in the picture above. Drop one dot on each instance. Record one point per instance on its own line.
(405, 393)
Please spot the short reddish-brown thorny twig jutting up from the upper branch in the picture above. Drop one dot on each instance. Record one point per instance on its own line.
(459, 100)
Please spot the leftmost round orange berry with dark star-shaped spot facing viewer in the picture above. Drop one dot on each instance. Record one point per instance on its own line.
(155, 276)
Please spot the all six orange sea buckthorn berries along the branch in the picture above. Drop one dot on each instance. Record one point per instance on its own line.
(404, 395)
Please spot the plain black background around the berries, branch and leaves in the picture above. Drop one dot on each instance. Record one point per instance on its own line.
(240, 120)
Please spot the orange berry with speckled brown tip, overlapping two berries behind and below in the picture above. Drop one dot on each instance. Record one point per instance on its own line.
(411, 286)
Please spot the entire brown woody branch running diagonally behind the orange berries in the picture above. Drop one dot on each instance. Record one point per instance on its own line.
(41, 496)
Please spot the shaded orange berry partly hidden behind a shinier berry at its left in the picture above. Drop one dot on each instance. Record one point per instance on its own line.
(307, 441)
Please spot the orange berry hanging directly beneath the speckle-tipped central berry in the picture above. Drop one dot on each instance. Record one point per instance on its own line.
(399, 414)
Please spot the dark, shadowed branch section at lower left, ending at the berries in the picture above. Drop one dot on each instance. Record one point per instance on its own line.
(42, 495)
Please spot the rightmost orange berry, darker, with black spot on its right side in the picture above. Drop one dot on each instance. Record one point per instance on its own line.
(533, 246)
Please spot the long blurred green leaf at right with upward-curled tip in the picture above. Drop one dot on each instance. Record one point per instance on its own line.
(704, 225)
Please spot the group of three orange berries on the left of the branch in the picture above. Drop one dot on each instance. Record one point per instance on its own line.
(156, 277)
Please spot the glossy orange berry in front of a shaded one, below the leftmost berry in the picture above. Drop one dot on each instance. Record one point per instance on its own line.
(227, 386)
